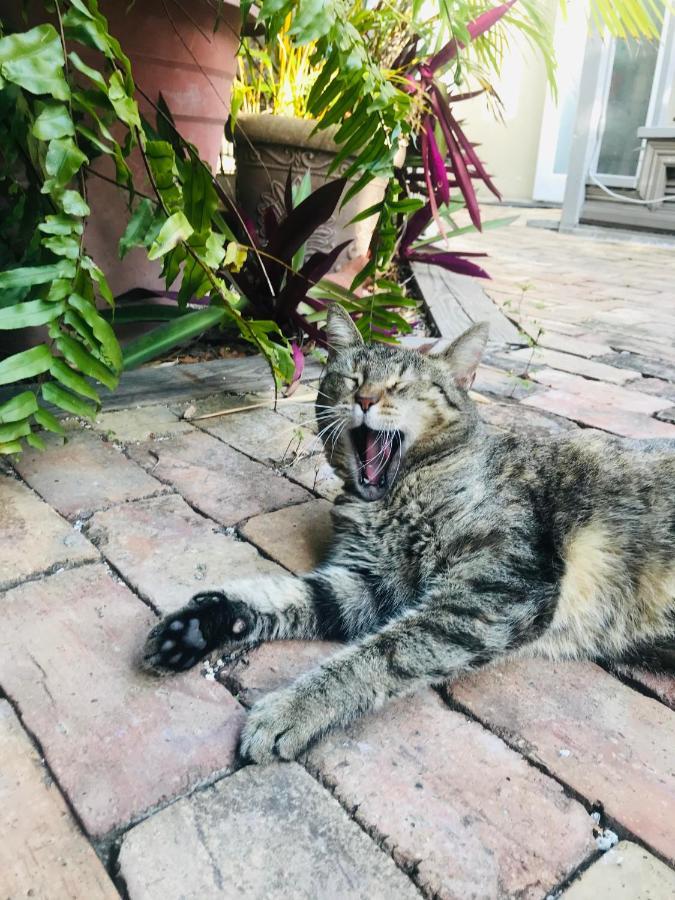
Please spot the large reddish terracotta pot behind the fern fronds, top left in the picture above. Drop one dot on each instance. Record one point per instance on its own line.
(193, 67)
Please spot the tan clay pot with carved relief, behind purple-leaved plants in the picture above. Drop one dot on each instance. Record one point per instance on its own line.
(266, 146)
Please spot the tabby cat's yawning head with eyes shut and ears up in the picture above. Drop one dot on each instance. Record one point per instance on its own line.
(377, 404)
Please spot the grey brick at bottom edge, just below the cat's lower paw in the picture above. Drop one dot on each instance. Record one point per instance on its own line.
(265, 832)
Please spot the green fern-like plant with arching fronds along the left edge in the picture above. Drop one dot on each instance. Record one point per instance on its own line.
(58, 113)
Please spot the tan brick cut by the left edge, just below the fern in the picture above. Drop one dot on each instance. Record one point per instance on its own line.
(34, 538)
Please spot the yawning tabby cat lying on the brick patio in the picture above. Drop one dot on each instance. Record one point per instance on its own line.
(454, 547)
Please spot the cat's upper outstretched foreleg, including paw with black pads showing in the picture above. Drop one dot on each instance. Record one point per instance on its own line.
(266, 608)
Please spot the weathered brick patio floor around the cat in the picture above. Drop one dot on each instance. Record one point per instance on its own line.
(517, 782)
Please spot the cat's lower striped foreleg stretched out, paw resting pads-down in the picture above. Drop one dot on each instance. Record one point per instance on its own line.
(455, 632)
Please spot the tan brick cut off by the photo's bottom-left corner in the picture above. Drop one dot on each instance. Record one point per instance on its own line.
(42, 852)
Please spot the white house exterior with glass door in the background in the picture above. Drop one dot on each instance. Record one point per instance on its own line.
(605, 149)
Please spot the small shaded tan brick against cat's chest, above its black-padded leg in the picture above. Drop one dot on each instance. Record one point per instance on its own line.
(297, 537)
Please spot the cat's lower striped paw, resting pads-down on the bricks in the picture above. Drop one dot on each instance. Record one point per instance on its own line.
(280, 726)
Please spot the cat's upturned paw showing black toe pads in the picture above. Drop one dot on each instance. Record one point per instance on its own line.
(209, 621)
